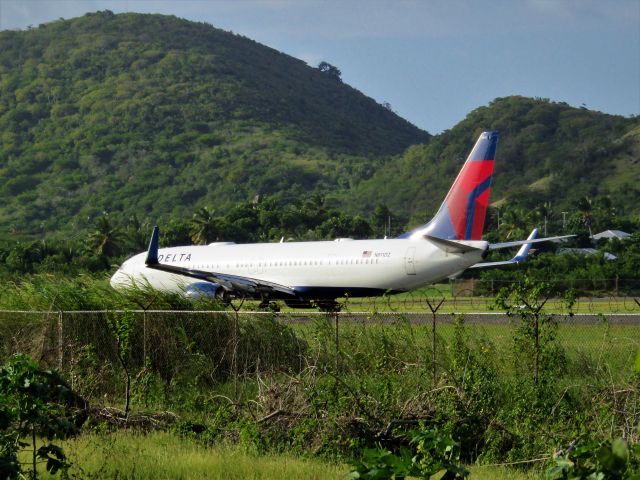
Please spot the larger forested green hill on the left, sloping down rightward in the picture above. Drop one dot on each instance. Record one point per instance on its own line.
(158, 116)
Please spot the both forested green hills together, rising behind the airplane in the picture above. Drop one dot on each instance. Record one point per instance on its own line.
(158, 117)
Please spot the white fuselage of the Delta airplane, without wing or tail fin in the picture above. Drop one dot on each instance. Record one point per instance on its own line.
(324, 269)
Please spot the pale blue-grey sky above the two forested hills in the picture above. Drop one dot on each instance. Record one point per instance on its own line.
(433, 61)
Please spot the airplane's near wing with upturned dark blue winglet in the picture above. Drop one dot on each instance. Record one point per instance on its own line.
(228, 282)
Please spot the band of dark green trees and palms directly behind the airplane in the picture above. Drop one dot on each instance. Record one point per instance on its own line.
(112, 239)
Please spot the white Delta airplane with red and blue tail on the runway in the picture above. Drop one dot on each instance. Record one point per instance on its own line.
(319, 272)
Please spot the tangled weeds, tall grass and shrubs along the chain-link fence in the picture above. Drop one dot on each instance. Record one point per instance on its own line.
(393, 395)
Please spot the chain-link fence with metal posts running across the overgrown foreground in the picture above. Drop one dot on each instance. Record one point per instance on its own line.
(222, 350)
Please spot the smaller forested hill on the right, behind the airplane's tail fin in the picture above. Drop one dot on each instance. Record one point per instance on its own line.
(548, 154)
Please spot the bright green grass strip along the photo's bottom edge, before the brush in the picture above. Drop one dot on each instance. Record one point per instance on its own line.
(164, 455)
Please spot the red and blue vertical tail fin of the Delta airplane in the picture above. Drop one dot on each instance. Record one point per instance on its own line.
(461, 215)
